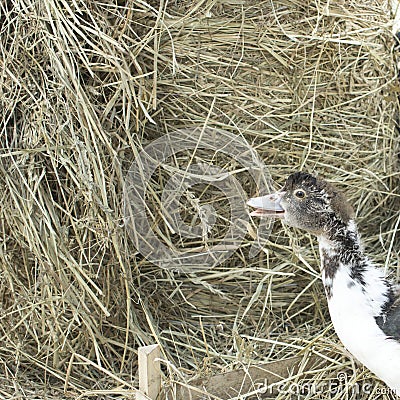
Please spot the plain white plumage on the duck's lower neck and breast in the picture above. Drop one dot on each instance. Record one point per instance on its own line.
(353, 312)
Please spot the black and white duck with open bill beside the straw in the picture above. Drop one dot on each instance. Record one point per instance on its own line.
(364, 305)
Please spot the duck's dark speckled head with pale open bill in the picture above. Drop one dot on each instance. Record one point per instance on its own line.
(305, 202)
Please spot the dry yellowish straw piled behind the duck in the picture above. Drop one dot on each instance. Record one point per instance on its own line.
(85, 86)
